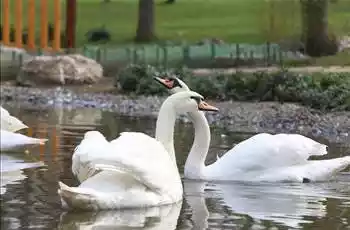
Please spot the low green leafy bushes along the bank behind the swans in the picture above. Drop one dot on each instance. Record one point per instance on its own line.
(320, 91)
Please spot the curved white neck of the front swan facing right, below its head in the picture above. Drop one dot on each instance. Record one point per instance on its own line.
(165, 127)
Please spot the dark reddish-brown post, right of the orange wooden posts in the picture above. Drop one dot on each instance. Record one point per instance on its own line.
(71, 10)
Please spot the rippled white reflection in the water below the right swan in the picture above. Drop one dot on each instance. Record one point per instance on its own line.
(284, 204)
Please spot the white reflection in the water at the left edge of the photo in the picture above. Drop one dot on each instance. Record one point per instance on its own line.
(11, 169)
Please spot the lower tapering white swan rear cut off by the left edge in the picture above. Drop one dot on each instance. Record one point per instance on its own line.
(10, 140)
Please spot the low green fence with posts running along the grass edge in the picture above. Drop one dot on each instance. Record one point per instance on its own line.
(205, 55)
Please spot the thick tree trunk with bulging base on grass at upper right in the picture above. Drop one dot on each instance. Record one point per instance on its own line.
(315, 29)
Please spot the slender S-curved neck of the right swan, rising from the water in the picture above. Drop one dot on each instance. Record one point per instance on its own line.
(195, 162)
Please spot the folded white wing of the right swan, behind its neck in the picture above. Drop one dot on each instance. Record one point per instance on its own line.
(265, 151)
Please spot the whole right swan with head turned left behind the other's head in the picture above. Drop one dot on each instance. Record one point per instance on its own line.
(262, 157)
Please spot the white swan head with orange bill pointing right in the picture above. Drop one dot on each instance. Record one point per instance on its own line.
(190, 101)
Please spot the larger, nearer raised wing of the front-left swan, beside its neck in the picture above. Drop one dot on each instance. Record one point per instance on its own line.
(146, 159)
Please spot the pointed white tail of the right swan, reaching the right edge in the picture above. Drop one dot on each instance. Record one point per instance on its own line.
(321, 170)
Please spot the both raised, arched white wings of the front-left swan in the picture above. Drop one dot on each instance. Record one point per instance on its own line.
(136, 154)
